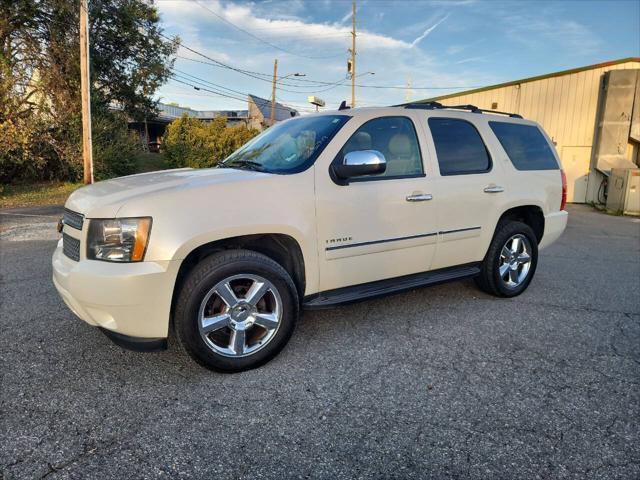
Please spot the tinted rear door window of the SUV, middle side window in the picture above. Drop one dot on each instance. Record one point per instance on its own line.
(459, 147)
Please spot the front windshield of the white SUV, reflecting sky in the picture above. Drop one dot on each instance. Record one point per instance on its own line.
(287, 147)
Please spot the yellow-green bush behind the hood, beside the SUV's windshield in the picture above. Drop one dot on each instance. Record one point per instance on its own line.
(189, 142)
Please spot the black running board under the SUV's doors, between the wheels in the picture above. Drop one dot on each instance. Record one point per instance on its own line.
(389, 286)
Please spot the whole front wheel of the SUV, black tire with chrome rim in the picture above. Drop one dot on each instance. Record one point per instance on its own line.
(241, 327)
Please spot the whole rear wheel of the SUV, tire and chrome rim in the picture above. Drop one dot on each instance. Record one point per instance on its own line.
(513, 281)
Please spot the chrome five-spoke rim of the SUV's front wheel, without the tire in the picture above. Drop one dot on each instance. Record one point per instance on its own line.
(240, 315)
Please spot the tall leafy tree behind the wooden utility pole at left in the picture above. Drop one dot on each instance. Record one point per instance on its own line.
(40, 78)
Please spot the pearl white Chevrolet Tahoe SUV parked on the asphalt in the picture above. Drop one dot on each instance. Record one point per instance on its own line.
(316, 211)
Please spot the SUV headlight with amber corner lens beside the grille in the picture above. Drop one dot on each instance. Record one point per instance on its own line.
(118, 240)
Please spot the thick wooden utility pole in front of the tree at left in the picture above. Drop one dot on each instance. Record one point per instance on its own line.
(85, 85)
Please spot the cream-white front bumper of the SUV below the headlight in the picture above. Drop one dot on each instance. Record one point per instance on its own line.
(127, 299)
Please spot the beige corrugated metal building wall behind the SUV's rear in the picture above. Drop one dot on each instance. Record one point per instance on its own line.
(565, 106)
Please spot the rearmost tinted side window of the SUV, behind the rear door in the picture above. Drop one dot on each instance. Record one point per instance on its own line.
(525, 145)
